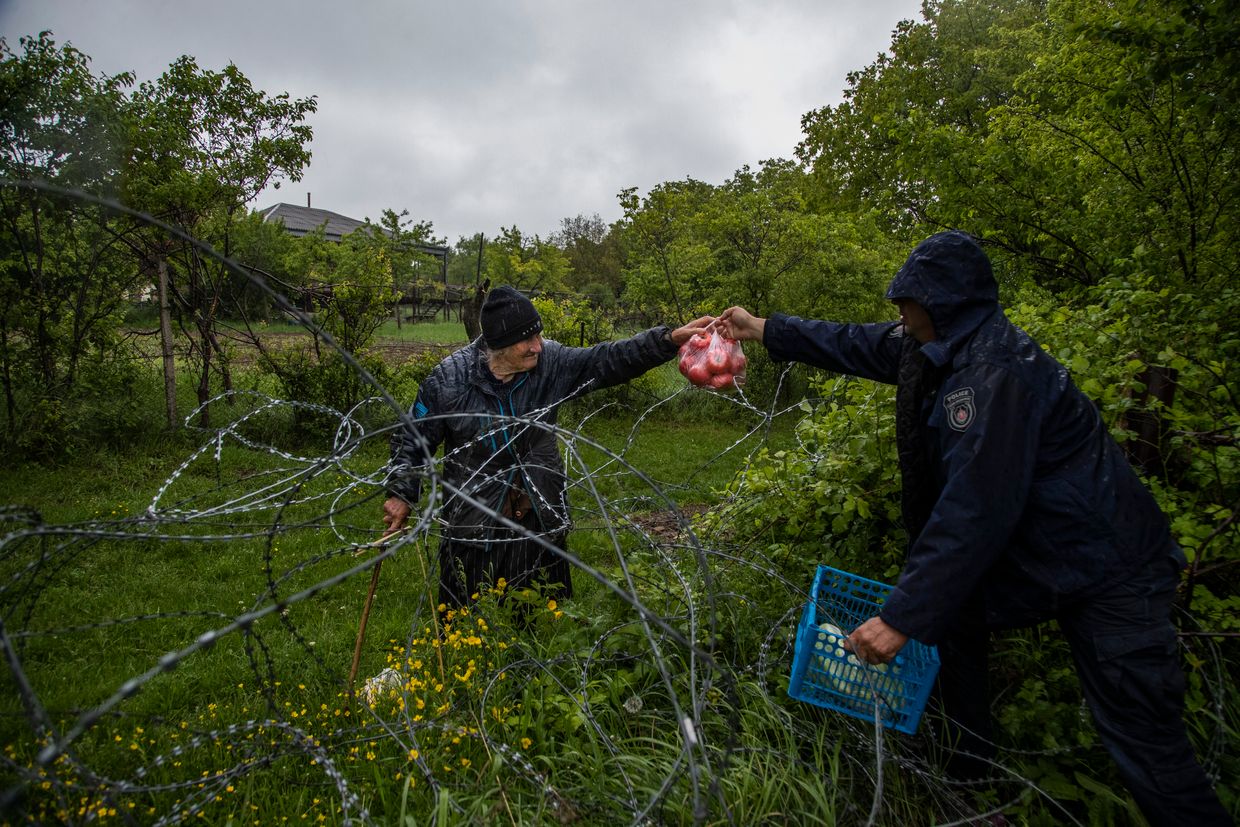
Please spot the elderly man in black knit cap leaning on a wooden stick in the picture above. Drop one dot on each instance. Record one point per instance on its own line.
(494, 406)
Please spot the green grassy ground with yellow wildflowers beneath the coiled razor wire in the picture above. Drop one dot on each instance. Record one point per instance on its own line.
(180, 621)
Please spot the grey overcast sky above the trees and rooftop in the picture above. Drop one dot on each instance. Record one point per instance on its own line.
(483, 115)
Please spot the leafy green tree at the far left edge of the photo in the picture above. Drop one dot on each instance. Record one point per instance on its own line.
(65, 275)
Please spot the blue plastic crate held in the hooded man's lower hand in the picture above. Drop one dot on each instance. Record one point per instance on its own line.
(826, 675)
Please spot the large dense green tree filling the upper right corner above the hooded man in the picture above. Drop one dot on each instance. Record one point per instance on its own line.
(1083, 139)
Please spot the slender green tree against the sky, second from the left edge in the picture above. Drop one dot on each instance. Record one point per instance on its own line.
(204, 146)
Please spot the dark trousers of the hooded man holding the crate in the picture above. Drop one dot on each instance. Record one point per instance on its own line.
(1125, 650)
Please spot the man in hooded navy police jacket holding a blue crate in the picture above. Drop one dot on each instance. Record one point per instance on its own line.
(1020, 508)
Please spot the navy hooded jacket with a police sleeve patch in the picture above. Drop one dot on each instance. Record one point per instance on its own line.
(1032, 504)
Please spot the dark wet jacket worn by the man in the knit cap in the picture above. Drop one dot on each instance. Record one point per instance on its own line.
(500, 437)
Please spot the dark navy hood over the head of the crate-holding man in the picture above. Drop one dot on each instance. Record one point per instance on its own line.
(950, 277)
